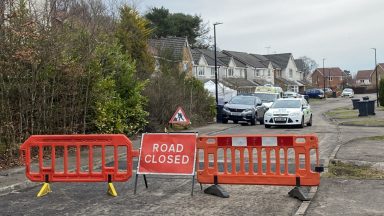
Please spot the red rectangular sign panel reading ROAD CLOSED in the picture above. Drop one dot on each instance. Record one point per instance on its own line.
(167, 154)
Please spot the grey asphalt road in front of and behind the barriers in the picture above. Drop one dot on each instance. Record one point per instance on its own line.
(171, 195)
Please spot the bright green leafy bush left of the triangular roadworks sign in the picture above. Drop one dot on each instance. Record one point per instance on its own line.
(118, 100)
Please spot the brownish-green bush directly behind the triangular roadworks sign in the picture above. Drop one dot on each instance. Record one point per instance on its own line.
(170, 89)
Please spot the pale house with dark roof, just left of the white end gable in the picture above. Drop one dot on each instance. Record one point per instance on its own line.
(257, 70)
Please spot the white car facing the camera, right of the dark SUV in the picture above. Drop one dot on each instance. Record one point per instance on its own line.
(289, 111)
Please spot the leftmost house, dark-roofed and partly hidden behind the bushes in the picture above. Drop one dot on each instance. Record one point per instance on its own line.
(173, 49)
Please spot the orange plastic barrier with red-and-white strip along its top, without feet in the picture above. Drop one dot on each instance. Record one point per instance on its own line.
(258, 160)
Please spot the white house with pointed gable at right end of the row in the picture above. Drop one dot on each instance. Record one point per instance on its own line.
(288, 76)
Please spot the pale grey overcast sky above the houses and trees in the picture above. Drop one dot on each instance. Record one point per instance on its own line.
(341, 31)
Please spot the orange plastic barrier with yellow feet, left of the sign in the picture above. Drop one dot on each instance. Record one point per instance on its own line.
(50, 145)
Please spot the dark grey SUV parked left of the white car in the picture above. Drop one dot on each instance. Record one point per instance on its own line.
(247, 108)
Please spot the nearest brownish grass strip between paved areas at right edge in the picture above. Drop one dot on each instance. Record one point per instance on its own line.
(345, 170)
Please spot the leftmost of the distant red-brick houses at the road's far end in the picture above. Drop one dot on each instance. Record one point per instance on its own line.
(333, 78)
